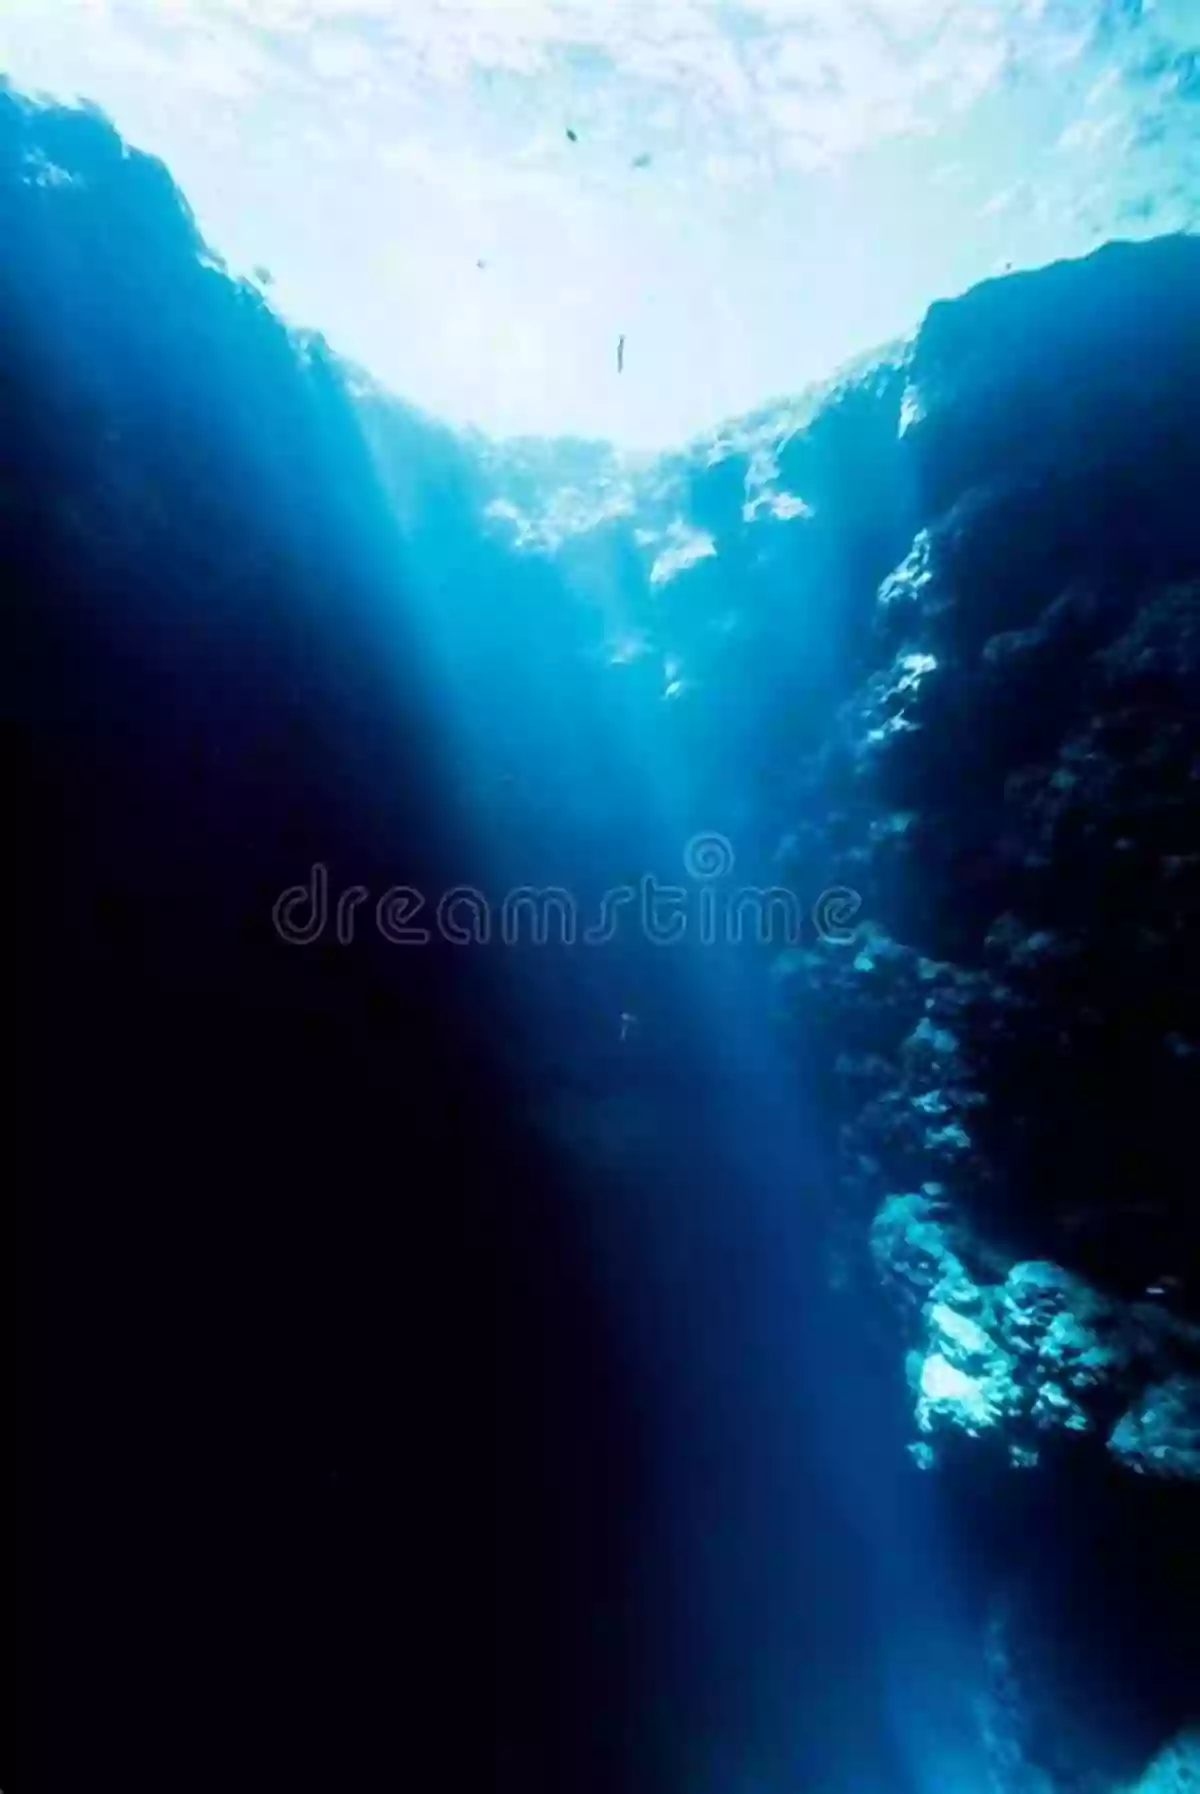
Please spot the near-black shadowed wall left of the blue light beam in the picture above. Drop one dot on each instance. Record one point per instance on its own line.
(327, 1463)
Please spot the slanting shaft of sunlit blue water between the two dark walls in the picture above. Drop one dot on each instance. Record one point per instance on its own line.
(803, 1621)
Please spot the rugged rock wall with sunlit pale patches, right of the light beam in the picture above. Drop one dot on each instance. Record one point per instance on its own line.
(1018, 792)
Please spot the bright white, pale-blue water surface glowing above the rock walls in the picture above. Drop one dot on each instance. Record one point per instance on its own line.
(756, 193)
